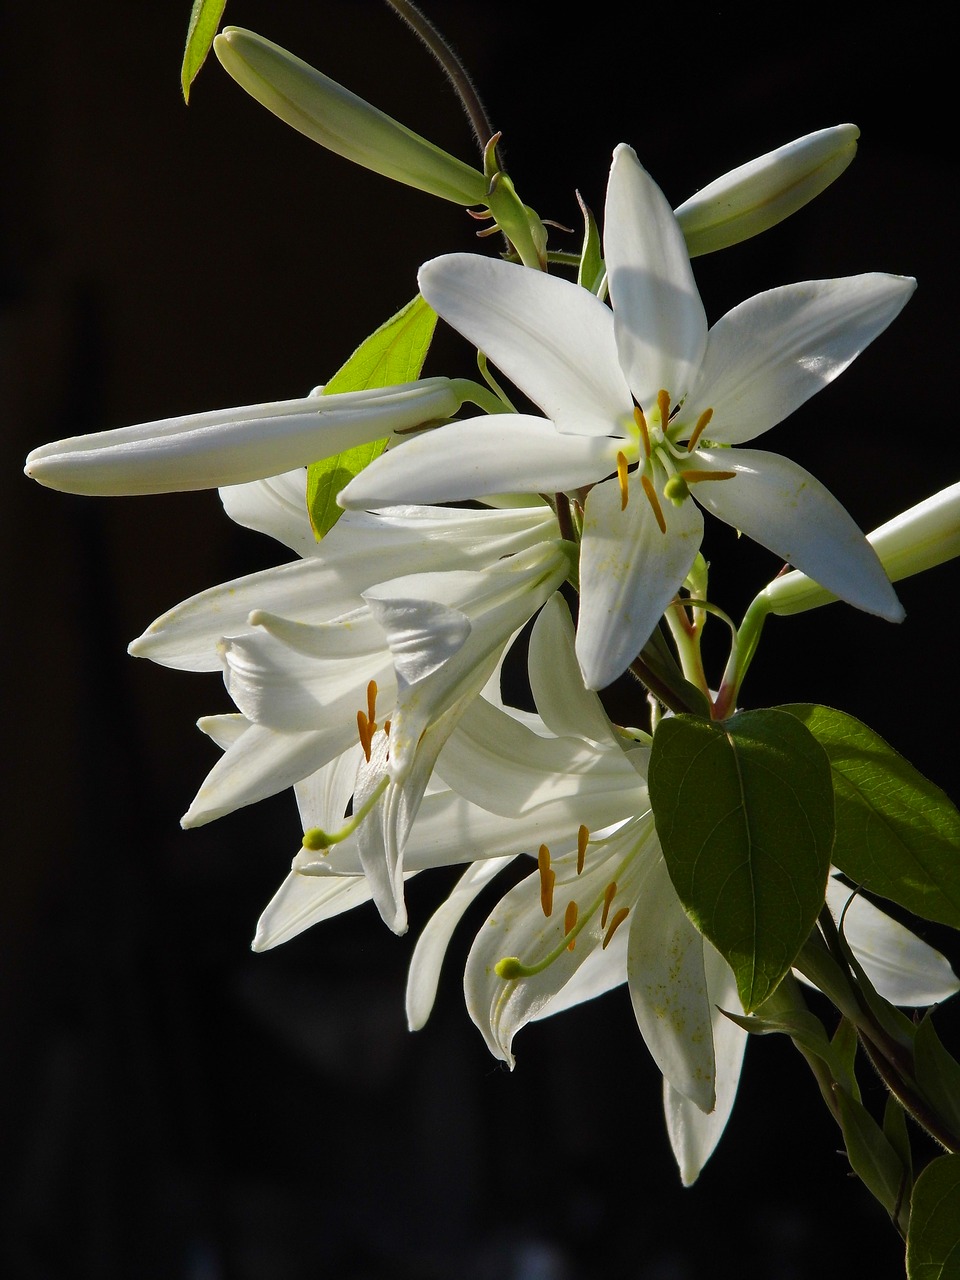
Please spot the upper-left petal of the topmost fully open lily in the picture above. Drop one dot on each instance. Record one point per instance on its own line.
(552, 339)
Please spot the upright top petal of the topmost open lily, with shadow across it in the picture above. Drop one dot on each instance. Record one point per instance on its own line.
(661, 326)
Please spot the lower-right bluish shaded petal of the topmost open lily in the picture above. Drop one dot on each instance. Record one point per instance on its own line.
(789, 511)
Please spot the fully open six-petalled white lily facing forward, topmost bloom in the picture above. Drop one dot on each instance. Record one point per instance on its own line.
(642, 404)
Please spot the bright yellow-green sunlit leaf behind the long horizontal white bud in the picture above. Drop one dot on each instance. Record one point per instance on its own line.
(392, 355)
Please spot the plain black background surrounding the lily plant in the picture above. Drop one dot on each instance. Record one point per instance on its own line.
(173, 1105)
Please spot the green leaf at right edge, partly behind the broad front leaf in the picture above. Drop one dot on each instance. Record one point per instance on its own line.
(898, 834)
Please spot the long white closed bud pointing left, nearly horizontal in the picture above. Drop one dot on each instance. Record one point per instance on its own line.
(234, 446)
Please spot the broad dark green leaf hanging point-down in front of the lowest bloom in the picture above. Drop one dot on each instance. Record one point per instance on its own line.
(744, 811)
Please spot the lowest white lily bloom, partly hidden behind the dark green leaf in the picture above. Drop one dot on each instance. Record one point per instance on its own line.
(601, 909)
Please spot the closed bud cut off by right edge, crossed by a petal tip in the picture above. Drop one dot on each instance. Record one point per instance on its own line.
(921, 538)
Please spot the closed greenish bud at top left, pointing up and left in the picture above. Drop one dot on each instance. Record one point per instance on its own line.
(342, 122)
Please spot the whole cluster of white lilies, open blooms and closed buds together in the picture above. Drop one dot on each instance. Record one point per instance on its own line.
(367, 671)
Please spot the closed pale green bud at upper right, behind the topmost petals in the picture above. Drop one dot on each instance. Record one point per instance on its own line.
(764, 193)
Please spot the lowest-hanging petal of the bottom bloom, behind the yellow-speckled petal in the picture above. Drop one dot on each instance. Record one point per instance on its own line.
(694, 1136)
